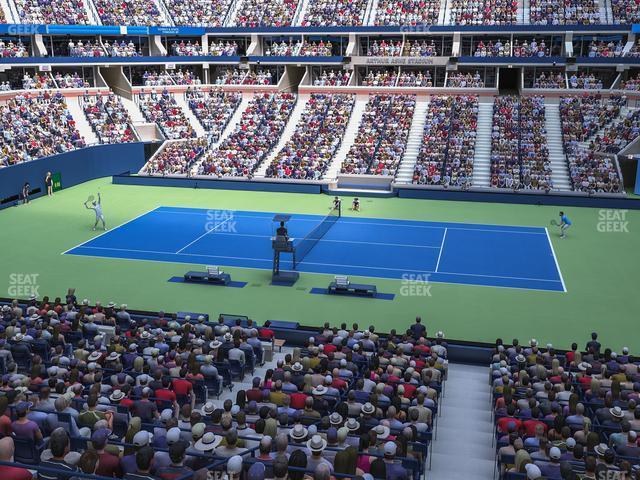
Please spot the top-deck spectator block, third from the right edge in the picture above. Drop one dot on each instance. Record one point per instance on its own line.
(477, 12)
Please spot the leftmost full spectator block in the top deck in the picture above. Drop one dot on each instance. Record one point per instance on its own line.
(63, 12)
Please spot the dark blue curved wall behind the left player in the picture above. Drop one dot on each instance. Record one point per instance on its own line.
(75, 167)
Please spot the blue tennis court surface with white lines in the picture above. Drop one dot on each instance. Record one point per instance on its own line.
(460, 253)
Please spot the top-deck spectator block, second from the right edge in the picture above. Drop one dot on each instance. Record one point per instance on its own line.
(564, 12)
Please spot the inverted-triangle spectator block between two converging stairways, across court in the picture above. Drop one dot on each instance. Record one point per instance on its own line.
(213, 108)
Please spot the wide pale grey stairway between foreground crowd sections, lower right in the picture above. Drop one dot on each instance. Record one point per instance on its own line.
(462, 449)
